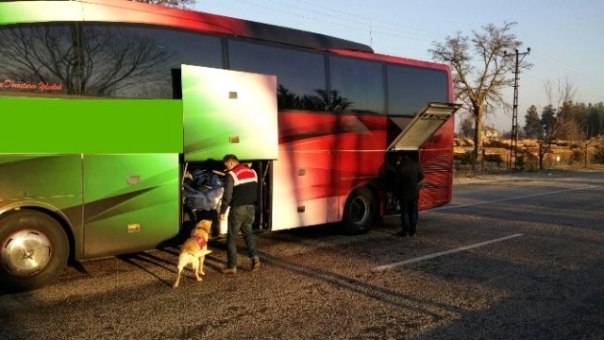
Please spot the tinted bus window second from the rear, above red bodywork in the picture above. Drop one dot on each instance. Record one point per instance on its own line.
(356, 85)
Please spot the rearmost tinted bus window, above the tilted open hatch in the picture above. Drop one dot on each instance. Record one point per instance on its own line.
(410, 88)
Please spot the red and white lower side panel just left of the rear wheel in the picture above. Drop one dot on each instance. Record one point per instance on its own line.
(321, 159)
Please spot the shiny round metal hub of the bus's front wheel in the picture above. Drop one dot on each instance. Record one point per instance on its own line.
(25, 252)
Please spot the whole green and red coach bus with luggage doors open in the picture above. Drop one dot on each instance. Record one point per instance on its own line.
(106, 105)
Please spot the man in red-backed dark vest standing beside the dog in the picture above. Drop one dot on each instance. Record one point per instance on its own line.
(240, 194)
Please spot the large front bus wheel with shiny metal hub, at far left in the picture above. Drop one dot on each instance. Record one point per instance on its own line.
(33, 250)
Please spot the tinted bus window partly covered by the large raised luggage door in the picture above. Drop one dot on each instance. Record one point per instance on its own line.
(300, 74)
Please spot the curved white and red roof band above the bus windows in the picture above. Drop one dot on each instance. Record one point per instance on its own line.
(142, 13)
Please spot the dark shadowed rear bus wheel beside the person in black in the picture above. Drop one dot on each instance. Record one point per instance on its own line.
(360, 211)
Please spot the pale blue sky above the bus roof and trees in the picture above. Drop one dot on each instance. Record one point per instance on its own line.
(566, 38)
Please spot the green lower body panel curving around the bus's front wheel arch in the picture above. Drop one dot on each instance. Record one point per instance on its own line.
(52, 182)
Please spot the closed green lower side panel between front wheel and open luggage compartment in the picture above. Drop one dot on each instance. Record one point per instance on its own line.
(131, 202)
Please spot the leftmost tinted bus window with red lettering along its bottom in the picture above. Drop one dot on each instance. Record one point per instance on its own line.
(37, 60)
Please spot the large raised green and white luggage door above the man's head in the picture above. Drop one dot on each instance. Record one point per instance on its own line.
(228, 112)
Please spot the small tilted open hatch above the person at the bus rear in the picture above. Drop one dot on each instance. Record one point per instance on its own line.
(423, 126)
